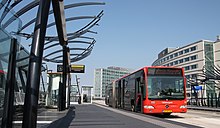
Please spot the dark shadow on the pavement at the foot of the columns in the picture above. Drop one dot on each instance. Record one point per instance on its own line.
(65, 121)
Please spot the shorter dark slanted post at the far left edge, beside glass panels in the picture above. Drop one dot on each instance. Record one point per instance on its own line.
(9, 89)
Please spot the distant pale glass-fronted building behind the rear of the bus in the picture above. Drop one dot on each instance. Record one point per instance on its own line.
(103, 77)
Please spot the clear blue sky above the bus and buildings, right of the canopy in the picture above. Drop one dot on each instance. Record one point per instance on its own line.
(133, 32)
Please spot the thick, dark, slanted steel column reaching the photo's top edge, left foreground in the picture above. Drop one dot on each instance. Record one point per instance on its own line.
(34, 69)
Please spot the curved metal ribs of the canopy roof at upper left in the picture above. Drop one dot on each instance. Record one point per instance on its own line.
(84, 51)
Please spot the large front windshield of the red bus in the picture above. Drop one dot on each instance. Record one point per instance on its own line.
(165, 87)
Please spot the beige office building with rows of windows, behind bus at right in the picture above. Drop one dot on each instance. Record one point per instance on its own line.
(199, 60)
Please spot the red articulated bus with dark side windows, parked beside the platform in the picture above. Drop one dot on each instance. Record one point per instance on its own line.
(150, 90)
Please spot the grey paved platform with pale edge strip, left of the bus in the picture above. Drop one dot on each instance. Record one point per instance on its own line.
(100, 116)
